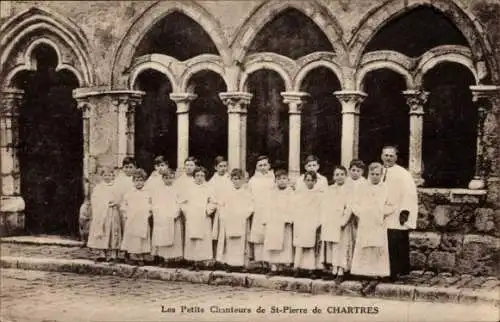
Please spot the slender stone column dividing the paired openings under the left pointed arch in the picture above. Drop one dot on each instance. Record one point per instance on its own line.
(182, 100)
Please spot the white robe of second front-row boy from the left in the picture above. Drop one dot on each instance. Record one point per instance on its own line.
(137, 207)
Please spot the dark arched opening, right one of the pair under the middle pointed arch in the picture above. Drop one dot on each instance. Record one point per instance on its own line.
(321, 119)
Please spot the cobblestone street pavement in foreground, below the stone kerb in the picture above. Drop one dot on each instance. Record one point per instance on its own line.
(47, 296)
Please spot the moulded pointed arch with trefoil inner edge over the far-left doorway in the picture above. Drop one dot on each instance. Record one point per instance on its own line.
(63, 35)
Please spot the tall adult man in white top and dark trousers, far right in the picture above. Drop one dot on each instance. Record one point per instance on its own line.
(403, 197)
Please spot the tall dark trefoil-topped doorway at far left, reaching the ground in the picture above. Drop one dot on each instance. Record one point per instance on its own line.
(50, 147)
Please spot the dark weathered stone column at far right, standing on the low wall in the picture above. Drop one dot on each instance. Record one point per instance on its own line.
(482, 96)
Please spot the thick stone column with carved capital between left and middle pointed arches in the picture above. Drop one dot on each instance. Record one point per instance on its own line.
(237, 103)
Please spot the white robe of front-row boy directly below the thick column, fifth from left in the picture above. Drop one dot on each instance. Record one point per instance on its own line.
(235, 208)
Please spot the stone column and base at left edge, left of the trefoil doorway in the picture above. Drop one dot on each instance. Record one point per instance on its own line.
(11, 203)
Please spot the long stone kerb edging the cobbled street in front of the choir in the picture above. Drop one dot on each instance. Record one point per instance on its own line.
(304, 285)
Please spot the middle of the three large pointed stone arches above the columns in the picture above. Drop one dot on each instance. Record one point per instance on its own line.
(270, 9)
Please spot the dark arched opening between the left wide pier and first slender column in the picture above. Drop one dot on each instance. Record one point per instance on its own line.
(155, 121)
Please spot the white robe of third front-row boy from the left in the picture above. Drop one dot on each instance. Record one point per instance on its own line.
(167, 224)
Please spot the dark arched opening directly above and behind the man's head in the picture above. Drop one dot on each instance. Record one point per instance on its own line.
(384, 116)
